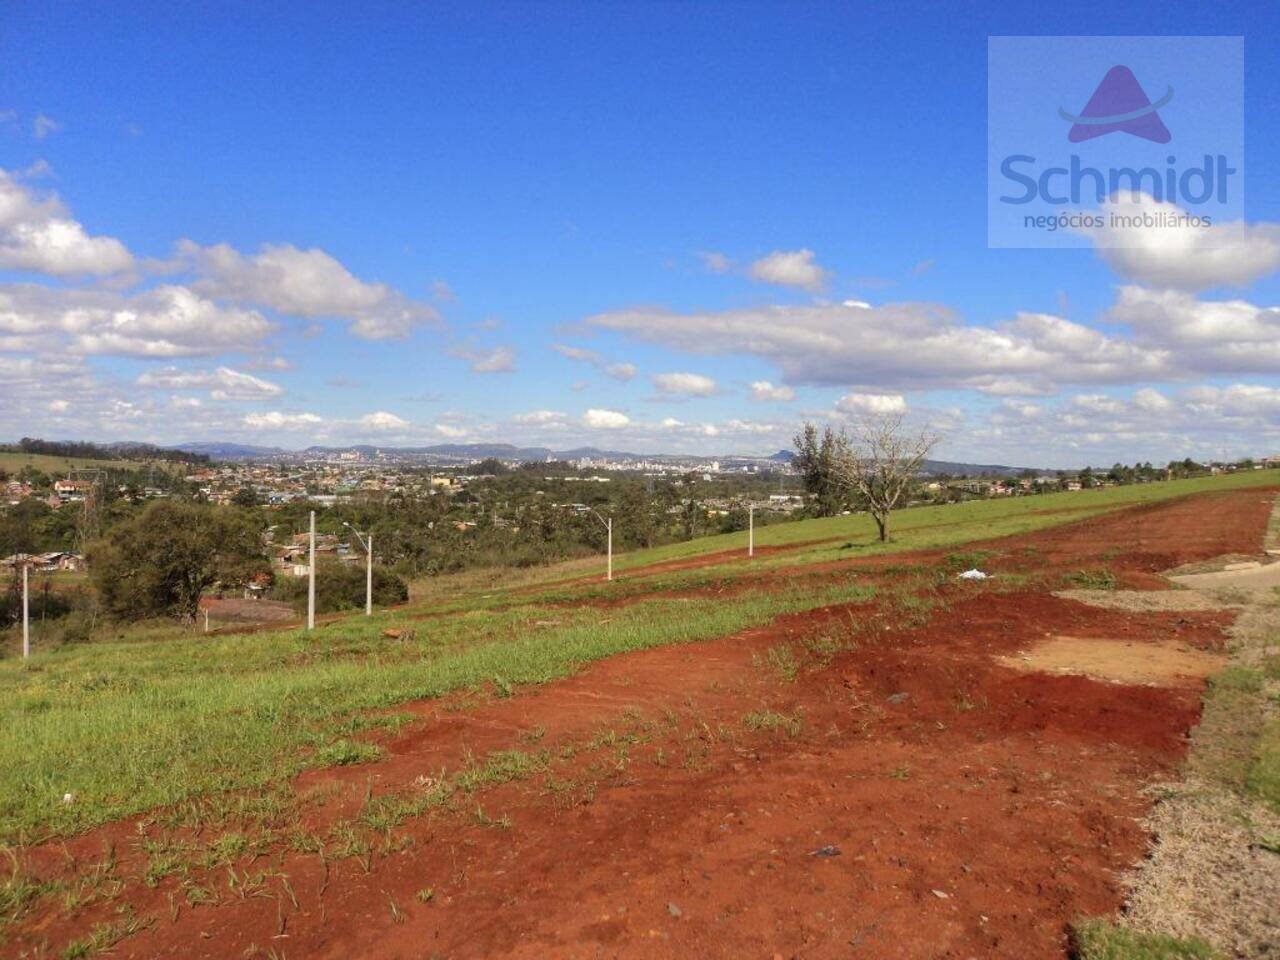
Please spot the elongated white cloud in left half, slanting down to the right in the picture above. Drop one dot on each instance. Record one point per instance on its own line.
(308, 284)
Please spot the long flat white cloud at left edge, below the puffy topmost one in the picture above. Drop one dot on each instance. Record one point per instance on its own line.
(164, 322)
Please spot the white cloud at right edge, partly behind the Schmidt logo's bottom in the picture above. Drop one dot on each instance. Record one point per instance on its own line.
(1185, 257)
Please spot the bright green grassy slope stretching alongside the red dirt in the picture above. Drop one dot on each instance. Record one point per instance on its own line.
(130, 725)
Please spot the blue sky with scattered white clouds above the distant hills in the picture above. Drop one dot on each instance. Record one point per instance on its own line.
(321, 226)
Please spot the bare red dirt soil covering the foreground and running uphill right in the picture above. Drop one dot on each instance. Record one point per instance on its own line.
(977, 811)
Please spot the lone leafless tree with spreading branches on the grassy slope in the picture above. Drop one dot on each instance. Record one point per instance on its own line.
(883, 461)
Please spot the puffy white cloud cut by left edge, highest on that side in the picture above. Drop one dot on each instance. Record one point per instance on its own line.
(38, 236)
